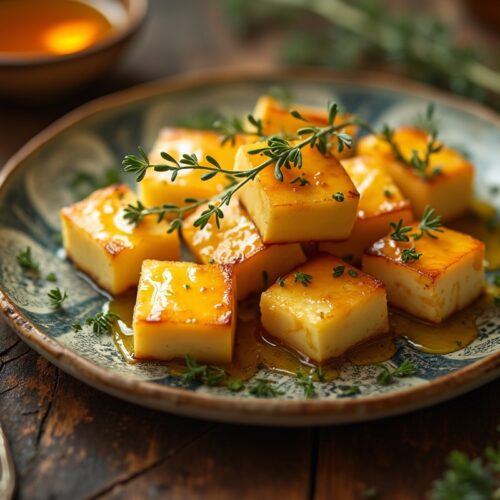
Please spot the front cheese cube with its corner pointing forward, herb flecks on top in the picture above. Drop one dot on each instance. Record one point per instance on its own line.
(339, 308)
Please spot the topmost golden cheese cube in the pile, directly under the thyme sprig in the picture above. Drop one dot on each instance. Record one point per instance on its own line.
(323, 209)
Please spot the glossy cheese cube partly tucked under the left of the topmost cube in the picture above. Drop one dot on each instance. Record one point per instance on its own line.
(237, 242)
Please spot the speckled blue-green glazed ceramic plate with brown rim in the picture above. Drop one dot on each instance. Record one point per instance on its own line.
(34, 185)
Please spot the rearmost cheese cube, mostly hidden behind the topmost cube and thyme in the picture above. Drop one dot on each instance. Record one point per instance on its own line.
(276, 119)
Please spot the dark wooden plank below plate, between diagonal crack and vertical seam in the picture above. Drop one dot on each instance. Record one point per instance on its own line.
(230, 462)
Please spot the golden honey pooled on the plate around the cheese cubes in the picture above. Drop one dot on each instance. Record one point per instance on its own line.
(254, 349)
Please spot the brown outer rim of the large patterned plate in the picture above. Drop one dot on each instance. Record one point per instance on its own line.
(239, 409)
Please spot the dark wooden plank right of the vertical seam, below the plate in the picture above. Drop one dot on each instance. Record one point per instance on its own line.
(401, 456)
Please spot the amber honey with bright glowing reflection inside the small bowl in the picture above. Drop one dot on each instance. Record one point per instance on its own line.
(50, 27)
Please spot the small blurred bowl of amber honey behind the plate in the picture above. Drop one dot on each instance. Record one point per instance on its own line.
(50, 47)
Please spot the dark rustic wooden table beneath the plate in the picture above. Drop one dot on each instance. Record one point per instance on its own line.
(70, 441)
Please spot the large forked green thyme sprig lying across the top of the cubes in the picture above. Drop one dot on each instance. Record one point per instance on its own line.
(277, 151)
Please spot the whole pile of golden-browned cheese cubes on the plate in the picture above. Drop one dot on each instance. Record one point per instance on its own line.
(320, 305)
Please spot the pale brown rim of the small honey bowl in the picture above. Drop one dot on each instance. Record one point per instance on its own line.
(135, 19)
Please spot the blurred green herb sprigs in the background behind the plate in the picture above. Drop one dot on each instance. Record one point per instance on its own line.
(376, 34)
